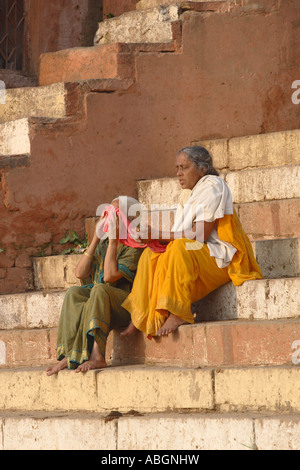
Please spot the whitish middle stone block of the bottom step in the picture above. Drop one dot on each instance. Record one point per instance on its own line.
(189, 432)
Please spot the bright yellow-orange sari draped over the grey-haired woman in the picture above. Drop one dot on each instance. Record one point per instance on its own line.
(170, 282)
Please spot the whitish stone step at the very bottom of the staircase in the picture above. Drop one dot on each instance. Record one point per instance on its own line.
(167, 431)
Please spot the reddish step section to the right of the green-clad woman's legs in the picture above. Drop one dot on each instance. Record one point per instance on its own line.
(230, 343)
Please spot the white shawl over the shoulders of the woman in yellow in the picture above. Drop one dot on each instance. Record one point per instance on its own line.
(209, 200)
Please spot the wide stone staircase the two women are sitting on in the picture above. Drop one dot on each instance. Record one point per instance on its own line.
(234, 375)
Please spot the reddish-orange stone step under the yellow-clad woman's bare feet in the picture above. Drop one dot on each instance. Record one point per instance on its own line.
(210, 344)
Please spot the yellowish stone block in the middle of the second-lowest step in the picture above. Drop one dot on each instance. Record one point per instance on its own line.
(144, 385)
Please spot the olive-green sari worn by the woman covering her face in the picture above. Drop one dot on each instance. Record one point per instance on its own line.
(91, 311)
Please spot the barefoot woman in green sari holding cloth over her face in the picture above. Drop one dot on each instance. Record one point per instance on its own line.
(90, 312)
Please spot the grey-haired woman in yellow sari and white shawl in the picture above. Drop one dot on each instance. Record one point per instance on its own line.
(168, 283)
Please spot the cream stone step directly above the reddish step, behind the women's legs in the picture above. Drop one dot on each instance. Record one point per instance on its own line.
(266, 299)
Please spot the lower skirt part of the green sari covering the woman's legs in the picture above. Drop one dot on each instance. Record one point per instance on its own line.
(88, 315)
